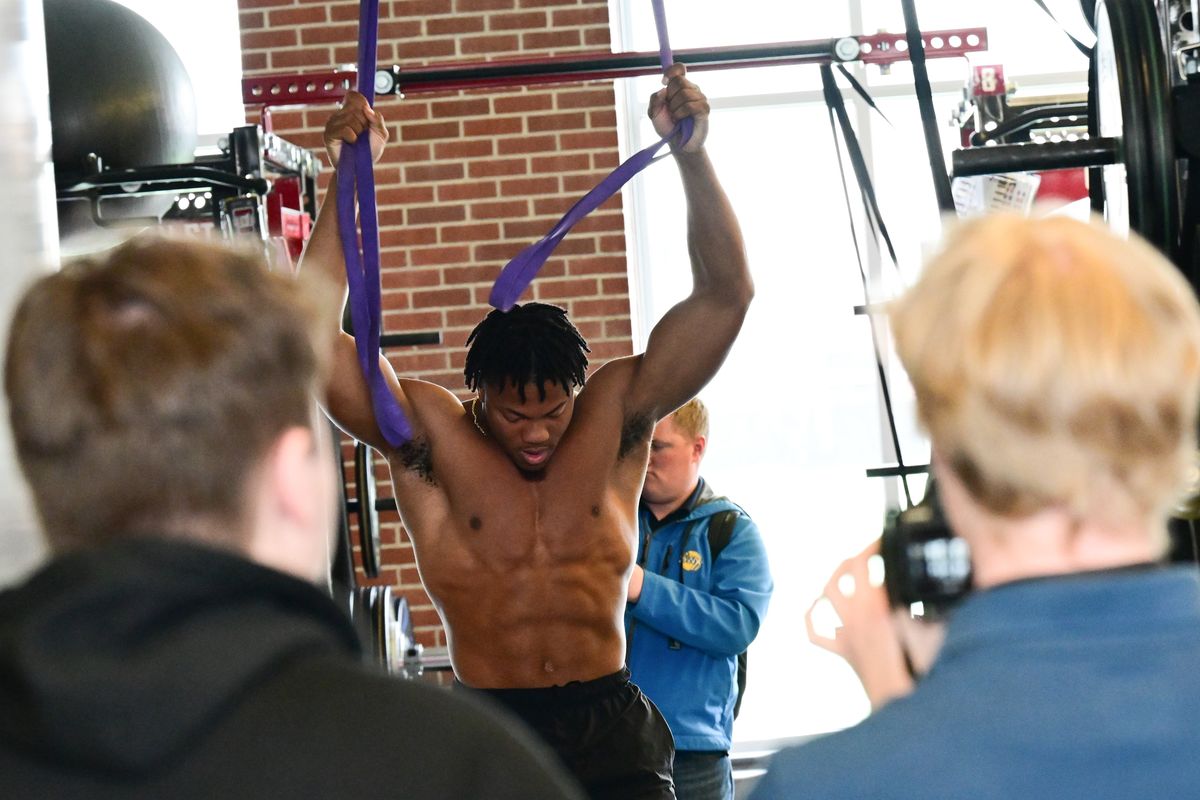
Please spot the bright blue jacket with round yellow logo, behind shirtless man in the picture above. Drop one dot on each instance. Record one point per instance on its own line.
(694, 618)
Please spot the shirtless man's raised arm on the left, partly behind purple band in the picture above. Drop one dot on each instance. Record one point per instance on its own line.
(347, 398)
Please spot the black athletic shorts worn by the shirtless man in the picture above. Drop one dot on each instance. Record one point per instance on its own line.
(610, 736)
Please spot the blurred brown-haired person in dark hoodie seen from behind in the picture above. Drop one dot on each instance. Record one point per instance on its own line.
(179, 646)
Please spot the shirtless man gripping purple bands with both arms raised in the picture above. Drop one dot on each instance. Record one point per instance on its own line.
(523, 503)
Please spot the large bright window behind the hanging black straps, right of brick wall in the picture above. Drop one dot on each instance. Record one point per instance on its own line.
(796, 411)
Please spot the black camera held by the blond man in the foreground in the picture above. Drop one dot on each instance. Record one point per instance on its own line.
(923, 561)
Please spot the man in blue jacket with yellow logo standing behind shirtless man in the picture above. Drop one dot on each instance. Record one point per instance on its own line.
(697, 599)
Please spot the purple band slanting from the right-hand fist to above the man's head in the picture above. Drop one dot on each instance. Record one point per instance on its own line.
(520, 273)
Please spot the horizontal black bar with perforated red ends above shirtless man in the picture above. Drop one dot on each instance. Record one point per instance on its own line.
(877, 49)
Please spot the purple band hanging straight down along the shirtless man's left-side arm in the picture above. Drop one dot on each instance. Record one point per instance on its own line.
(356, 176)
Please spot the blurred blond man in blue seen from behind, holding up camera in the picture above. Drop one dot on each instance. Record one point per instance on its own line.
(1057, 369)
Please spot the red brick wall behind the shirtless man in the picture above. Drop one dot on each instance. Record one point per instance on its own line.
(469, 181)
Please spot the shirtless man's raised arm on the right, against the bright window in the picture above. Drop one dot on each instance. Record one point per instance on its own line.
(689, 344)
